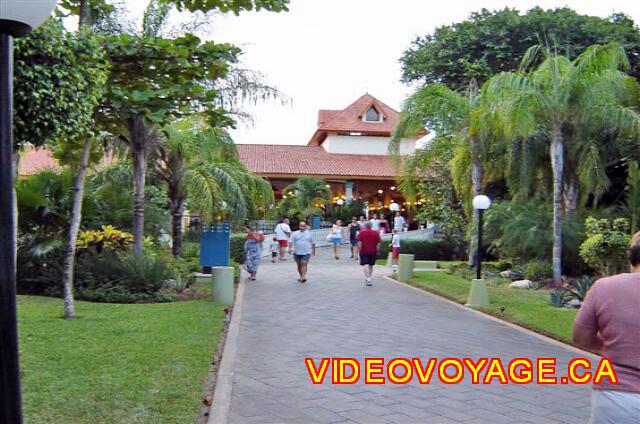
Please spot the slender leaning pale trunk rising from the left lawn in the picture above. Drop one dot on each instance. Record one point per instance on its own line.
(74, 226)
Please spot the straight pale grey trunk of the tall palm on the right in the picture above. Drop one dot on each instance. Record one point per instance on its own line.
(557, 164)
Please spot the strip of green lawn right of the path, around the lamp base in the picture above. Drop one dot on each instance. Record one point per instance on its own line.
(528, 308)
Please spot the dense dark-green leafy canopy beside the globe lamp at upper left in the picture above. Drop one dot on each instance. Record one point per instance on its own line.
(59, 79)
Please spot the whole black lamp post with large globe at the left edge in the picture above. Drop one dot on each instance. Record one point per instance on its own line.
(17, 18)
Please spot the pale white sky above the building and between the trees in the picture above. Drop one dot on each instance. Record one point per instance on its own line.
(325, 54)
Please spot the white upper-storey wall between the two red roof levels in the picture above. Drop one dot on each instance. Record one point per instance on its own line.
(364, 145)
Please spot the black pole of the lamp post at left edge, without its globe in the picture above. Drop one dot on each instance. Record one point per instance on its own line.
(10, 401)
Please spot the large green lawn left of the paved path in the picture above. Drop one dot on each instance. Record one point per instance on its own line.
(116, 363)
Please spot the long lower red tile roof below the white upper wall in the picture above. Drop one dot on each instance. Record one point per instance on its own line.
(295, 160)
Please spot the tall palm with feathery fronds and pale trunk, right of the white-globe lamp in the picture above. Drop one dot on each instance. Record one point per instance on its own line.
(562, 97)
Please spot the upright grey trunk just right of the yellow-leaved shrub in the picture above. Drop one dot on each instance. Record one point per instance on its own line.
(139, 139)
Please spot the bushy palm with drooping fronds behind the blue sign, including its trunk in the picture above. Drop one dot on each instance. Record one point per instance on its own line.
(200, 165)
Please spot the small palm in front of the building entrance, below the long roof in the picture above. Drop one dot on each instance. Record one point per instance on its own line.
(303, 196)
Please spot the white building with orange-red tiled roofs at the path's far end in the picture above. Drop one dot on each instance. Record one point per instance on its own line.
(349, 150)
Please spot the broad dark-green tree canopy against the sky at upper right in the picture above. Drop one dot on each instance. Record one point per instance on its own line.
(490, 42)
